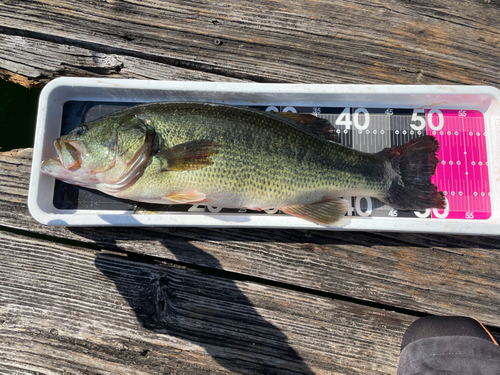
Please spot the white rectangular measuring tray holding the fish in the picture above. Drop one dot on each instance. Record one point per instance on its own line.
(465, 120)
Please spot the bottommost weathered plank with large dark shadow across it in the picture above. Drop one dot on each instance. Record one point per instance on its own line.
(66, 309)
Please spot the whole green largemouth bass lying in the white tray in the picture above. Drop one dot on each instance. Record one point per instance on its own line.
(226, 156)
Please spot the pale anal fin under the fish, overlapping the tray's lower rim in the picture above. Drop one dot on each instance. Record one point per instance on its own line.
(325, 212)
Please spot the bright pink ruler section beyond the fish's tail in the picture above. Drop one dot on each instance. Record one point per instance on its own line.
(462, 173)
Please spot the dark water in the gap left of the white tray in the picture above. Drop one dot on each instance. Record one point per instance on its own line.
(18, 108)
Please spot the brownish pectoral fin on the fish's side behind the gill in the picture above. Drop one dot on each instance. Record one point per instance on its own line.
(188, 156)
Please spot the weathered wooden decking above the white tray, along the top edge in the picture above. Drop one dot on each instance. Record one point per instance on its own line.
(321, 41)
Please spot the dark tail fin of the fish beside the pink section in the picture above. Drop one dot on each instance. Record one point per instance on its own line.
(409, 169)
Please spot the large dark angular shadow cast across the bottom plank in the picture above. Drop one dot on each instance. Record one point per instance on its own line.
(207, 312)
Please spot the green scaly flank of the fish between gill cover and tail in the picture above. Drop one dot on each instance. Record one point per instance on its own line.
(262, 160)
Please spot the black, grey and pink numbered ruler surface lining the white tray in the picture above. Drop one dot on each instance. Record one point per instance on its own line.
(462, 173)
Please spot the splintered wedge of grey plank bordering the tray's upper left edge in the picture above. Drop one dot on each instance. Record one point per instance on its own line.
(29, 57)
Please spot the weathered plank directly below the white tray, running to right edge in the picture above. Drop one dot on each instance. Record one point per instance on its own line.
(435, 274)
